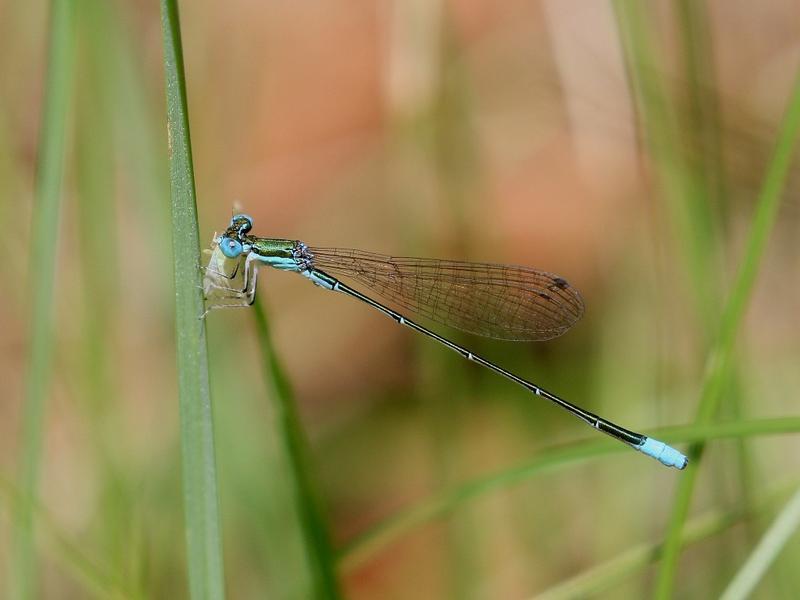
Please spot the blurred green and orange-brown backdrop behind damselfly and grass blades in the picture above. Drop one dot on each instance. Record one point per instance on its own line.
(624, 151)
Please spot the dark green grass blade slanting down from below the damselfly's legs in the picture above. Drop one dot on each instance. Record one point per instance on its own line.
(292, 444)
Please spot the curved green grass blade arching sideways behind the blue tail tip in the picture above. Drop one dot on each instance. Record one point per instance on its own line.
(374, 540)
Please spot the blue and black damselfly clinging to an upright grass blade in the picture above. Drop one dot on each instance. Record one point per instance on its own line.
(493, 300)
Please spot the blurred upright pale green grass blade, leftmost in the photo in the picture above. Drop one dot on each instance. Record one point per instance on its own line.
(44, 233)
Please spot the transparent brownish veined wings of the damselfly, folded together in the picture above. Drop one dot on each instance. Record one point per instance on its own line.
(505, 302)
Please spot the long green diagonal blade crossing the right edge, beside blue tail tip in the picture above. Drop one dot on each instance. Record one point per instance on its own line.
(719, 362)
